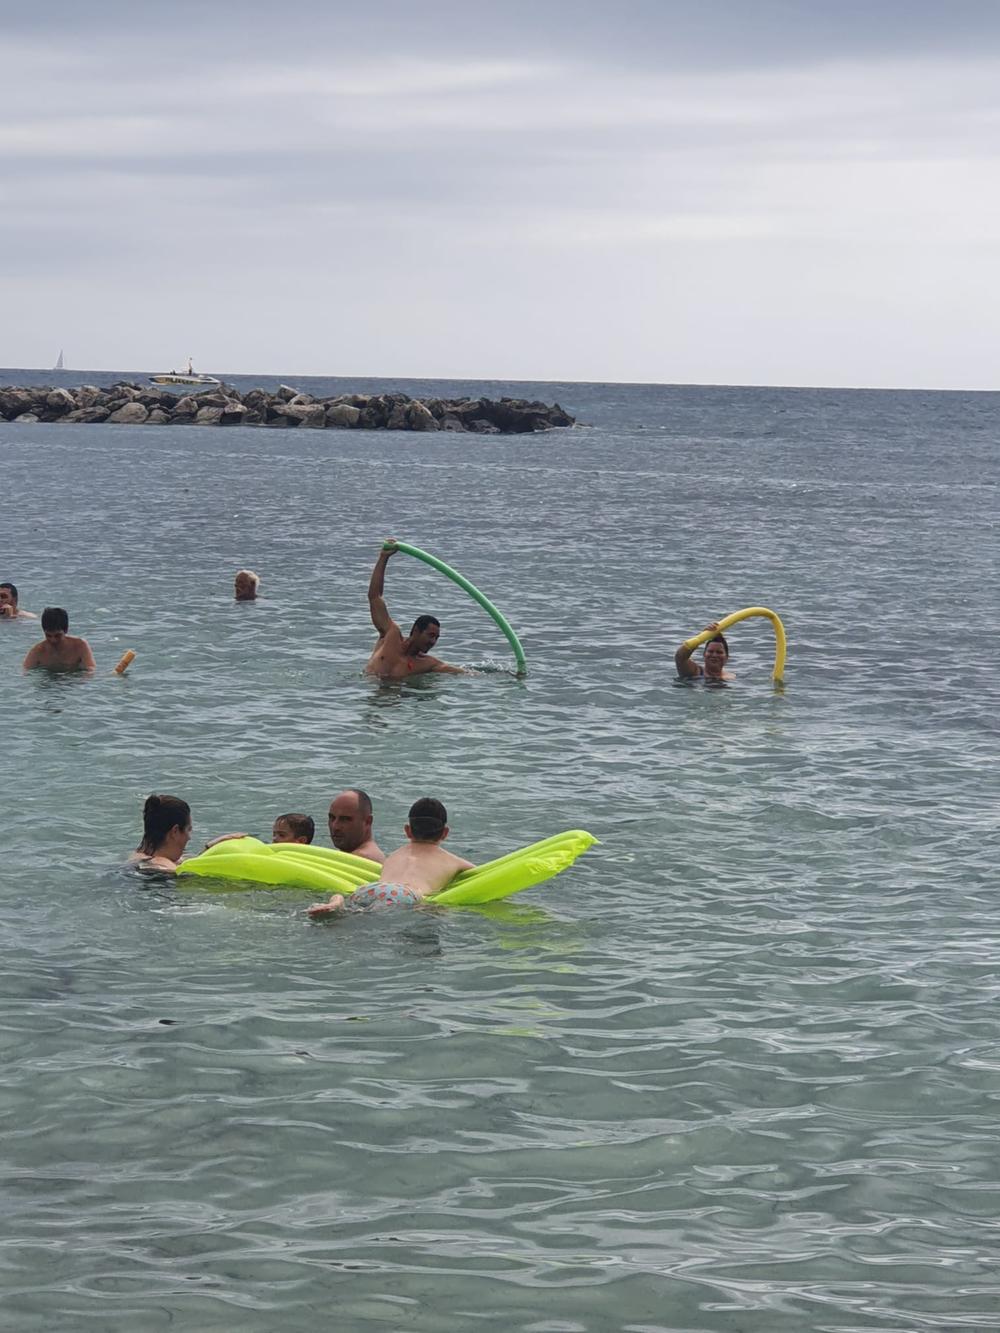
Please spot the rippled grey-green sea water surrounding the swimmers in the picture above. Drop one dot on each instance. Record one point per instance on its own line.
(737, 1071)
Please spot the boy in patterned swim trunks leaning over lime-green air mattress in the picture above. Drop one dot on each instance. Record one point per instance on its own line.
(413, 872)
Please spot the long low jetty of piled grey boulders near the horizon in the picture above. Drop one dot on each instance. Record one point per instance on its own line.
(137, 405)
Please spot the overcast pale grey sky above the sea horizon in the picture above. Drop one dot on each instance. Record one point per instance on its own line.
(799, 193)
